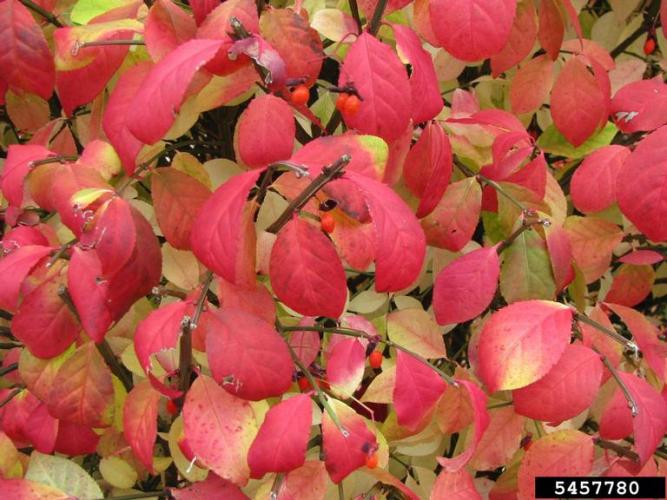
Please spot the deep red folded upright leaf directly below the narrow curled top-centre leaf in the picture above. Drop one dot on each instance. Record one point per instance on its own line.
(428, 168)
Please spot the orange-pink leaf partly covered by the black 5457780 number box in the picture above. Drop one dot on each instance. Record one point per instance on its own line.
(562, 453)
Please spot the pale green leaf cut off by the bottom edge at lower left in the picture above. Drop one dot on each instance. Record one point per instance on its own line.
(62, 474)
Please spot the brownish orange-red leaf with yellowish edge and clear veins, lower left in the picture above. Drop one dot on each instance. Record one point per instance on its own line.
(82, 391)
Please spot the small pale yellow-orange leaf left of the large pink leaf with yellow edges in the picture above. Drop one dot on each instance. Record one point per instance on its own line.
(414, 329)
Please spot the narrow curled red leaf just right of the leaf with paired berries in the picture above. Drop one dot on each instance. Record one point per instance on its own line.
(425, 92)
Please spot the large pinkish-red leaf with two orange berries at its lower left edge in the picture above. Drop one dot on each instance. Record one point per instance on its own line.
(382, 82)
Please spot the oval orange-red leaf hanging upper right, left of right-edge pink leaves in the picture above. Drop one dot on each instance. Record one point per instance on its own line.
(578, 103)
